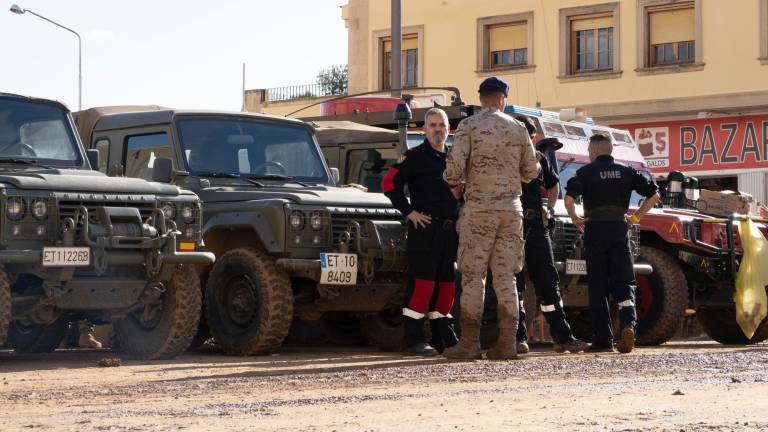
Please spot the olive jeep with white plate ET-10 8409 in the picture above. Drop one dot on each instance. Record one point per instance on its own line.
(289, 243)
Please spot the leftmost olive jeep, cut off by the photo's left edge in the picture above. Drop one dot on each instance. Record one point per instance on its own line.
(76, 244)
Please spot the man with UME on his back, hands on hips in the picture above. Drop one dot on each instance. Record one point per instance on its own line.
(606, 187)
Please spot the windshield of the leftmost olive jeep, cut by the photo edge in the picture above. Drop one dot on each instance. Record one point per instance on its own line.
(37, 132)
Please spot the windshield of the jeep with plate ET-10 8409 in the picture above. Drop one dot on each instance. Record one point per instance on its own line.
(251, 149)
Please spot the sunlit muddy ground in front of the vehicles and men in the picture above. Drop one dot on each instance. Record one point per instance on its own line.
(679, 386)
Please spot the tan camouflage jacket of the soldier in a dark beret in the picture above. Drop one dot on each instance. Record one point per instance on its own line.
(494, 155)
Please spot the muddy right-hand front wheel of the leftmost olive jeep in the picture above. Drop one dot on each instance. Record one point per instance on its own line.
(164, 329)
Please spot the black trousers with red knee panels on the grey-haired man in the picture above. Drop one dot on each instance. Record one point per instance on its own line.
(431, 283)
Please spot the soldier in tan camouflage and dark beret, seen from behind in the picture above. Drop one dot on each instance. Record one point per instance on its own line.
(493, 154)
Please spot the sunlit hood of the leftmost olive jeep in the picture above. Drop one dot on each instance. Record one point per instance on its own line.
(72, 180)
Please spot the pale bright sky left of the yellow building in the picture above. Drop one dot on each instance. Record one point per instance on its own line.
(182, 54)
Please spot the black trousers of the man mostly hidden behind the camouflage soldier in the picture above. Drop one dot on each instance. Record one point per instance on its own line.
(540, 265)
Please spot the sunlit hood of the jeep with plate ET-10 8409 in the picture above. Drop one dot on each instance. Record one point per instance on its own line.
(323, 196)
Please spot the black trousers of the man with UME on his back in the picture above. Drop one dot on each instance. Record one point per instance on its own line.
(610, 271)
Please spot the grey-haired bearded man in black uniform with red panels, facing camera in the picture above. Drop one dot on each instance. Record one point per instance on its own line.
(432, 237)
